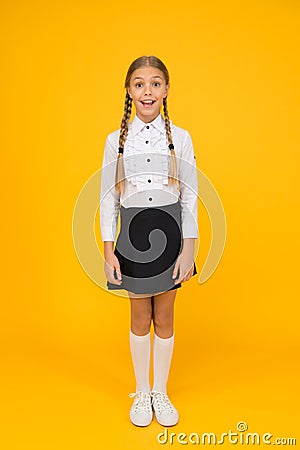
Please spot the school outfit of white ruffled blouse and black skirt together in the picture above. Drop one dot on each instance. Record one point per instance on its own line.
(155, 216)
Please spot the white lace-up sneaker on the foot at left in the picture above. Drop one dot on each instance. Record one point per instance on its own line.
(141, 413)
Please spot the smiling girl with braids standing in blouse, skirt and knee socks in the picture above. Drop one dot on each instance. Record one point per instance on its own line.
(149, 177)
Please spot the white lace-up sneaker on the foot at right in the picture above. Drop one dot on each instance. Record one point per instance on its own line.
(165, 412)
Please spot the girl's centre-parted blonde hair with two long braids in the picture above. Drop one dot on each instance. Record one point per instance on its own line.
(143, 61)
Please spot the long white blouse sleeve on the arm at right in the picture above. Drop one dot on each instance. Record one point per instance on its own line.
(188, 183)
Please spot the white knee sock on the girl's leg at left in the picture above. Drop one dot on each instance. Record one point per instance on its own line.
(140, 352)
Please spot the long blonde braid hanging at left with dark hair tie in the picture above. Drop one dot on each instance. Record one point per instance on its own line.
(120, 173)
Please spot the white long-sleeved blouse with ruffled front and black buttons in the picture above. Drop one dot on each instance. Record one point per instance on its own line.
(146, 165)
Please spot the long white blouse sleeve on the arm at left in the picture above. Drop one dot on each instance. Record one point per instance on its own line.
(109, 198)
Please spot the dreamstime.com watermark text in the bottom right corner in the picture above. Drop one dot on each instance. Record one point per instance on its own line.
(241, 436)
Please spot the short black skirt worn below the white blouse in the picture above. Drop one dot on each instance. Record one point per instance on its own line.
(147, 247)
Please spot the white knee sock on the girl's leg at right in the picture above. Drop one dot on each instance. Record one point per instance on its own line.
(162, 355)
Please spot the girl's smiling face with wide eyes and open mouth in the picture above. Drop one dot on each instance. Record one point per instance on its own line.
(147, 89)
